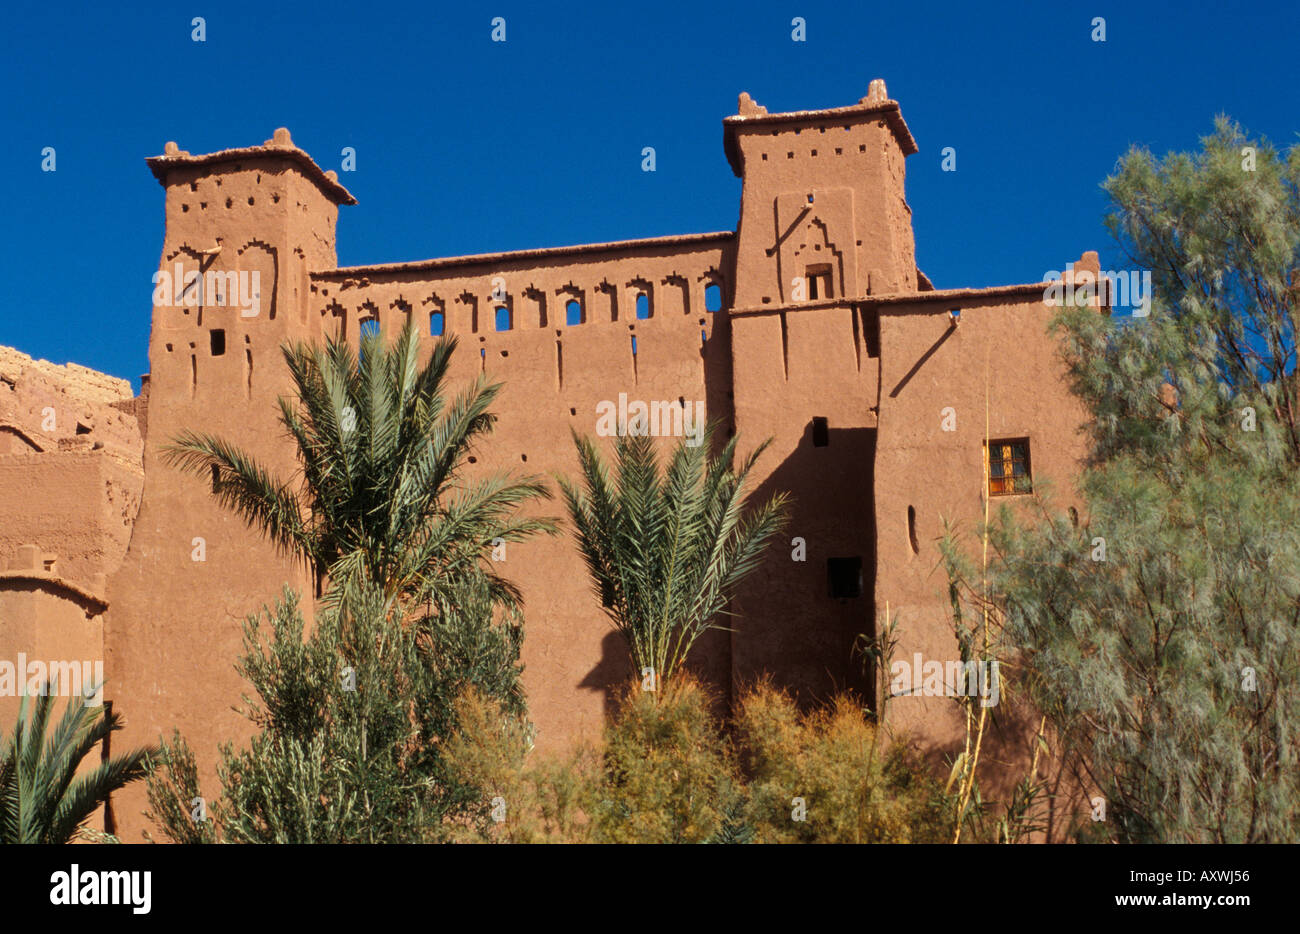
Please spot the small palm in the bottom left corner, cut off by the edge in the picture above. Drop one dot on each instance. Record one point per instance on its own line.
(41, 798)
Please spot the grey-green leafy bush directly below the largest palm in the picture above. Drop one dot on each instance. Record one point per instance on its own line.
(353, 721)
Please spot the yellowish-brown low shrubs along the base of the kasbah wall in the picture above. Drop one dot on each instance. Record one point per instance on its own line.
(668, 773)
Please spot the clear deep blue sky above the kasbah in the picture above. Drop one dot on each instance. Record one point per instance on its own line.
(467, 146)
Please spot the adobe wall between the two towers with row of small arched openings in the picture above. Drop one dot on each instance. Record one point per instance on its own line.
(554, 375)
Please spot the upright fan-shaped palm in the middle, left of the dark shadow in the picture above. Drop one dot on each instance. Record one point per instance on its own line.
(665, 555)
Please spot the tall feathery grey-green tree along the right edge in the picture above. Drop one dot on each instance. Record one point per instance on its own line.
(1159, 634)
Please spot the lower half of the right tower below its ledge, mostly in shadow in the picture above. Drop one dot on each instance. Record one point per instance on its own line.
(792, 366)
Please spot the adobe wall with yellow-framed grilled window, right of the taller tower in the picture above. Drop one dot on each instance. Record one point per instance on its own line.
(935, 382)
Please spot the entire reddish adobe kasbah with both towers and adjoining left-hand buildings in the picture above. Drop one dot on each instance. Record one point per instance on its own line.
(811, 325)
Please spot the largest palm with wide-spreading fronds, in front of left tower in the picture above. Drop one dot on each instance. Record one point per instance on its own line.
(380, 446)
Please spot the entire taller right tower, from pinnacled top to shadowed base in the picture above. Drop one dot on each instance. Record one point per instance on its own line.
(824, 201)
